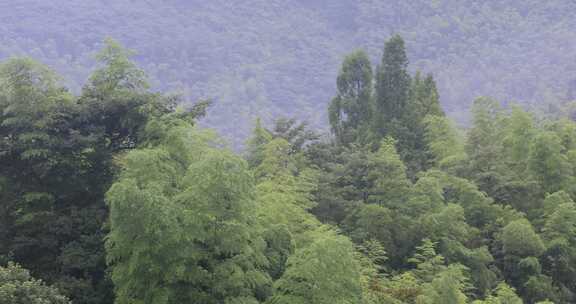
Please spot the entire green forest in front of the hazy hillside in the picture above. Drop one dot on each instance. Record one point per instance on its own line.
(115, 194)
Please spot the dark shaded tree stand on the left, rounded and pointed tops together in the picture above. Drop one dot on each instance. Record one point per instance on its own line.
(59, 155)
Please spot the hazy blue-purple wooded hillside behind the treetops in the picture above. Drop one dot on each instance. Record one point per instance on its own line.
(271, 58)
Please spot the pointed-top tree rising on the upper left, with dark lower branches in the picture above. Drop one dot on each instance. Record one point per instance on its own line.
(116, 100)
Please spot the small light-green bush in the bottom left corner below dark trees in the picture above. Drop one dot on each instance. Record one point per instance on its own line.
(18, 287)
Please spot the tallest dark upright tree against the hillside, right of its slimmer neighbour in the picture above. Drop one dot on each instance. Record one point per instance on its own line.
(401, 104)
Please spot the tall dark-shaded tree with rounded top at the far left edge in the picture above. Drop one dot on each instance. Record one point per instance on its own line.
(54, 181)
